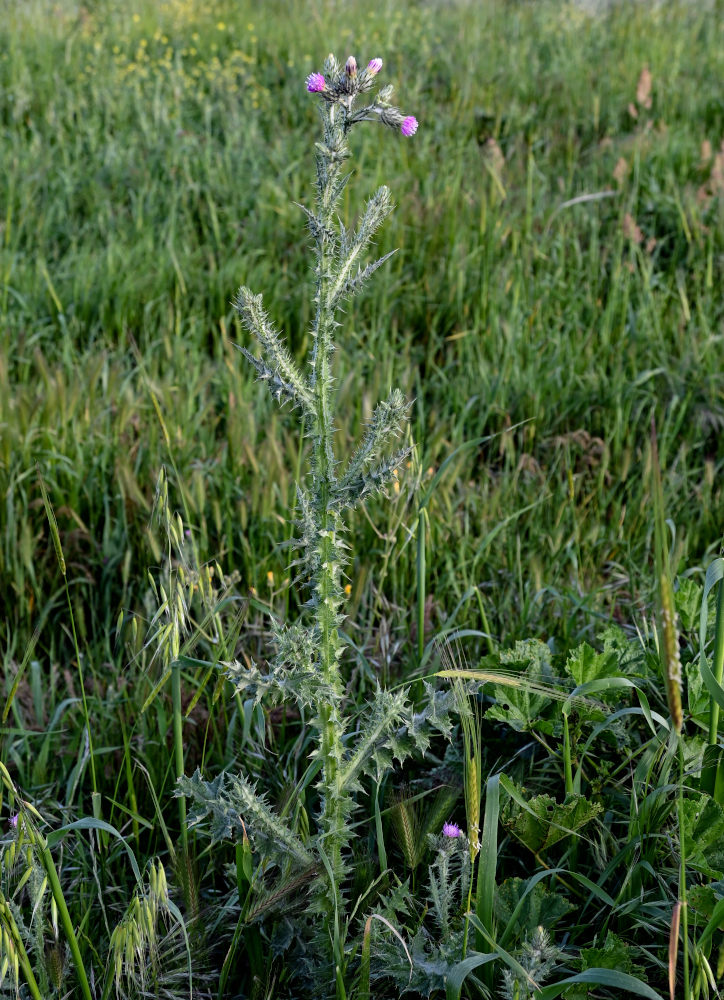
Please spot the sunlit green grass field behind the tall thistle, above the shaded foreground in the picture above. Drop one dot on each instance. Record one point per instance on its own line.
(143, 183)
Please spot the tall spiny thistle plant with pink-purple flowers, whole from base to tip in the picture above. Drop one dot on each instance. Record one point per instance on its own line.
(307, 664)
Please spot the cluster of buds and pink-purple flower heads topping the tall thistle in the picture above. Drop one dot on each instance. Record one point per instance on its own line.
(340, 85)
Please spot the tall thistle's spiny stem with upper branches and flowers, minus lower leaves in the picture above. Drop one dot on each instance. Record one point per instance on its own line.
(339, 275)
